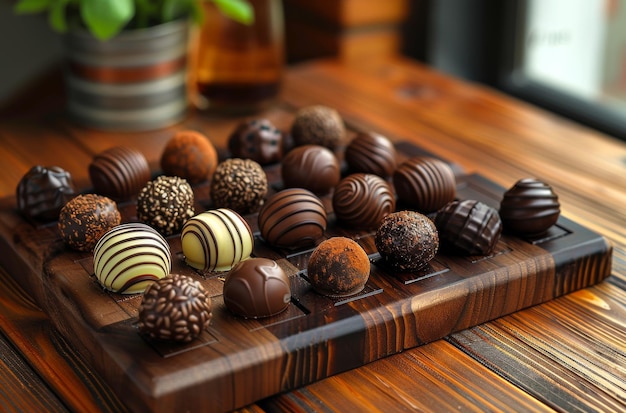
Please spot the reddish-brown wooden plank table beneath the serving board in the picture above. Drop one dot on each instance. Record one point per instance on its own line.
(568, 354)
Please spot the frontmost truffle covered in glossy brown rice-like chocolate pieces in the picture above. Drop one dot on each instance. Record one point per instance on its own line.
(175, 308)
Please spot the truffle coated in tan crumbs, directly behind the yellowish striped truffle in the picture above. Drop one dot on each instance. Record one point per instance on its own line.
(240, 185)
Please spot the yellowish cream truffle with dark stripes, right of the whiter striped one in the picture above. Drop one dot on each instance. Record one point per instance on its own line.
(216, 240)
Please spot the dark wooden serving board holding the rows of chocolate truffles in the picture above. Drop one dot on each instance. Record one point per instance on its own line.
(238, 361)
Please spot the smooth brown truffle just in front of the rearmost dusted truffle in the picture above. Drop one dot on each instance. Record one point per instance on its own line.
(311, 167)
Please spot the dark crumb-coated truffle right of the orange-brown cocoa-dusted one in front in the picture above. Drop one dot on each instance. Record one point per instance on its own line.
(407, 240)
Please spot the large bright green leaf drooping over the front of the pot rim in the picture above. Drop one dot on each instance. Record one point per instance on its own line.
(106, 18)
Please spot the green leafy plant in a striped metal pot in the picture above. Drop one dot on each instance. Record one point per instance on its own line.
(127, 59)
